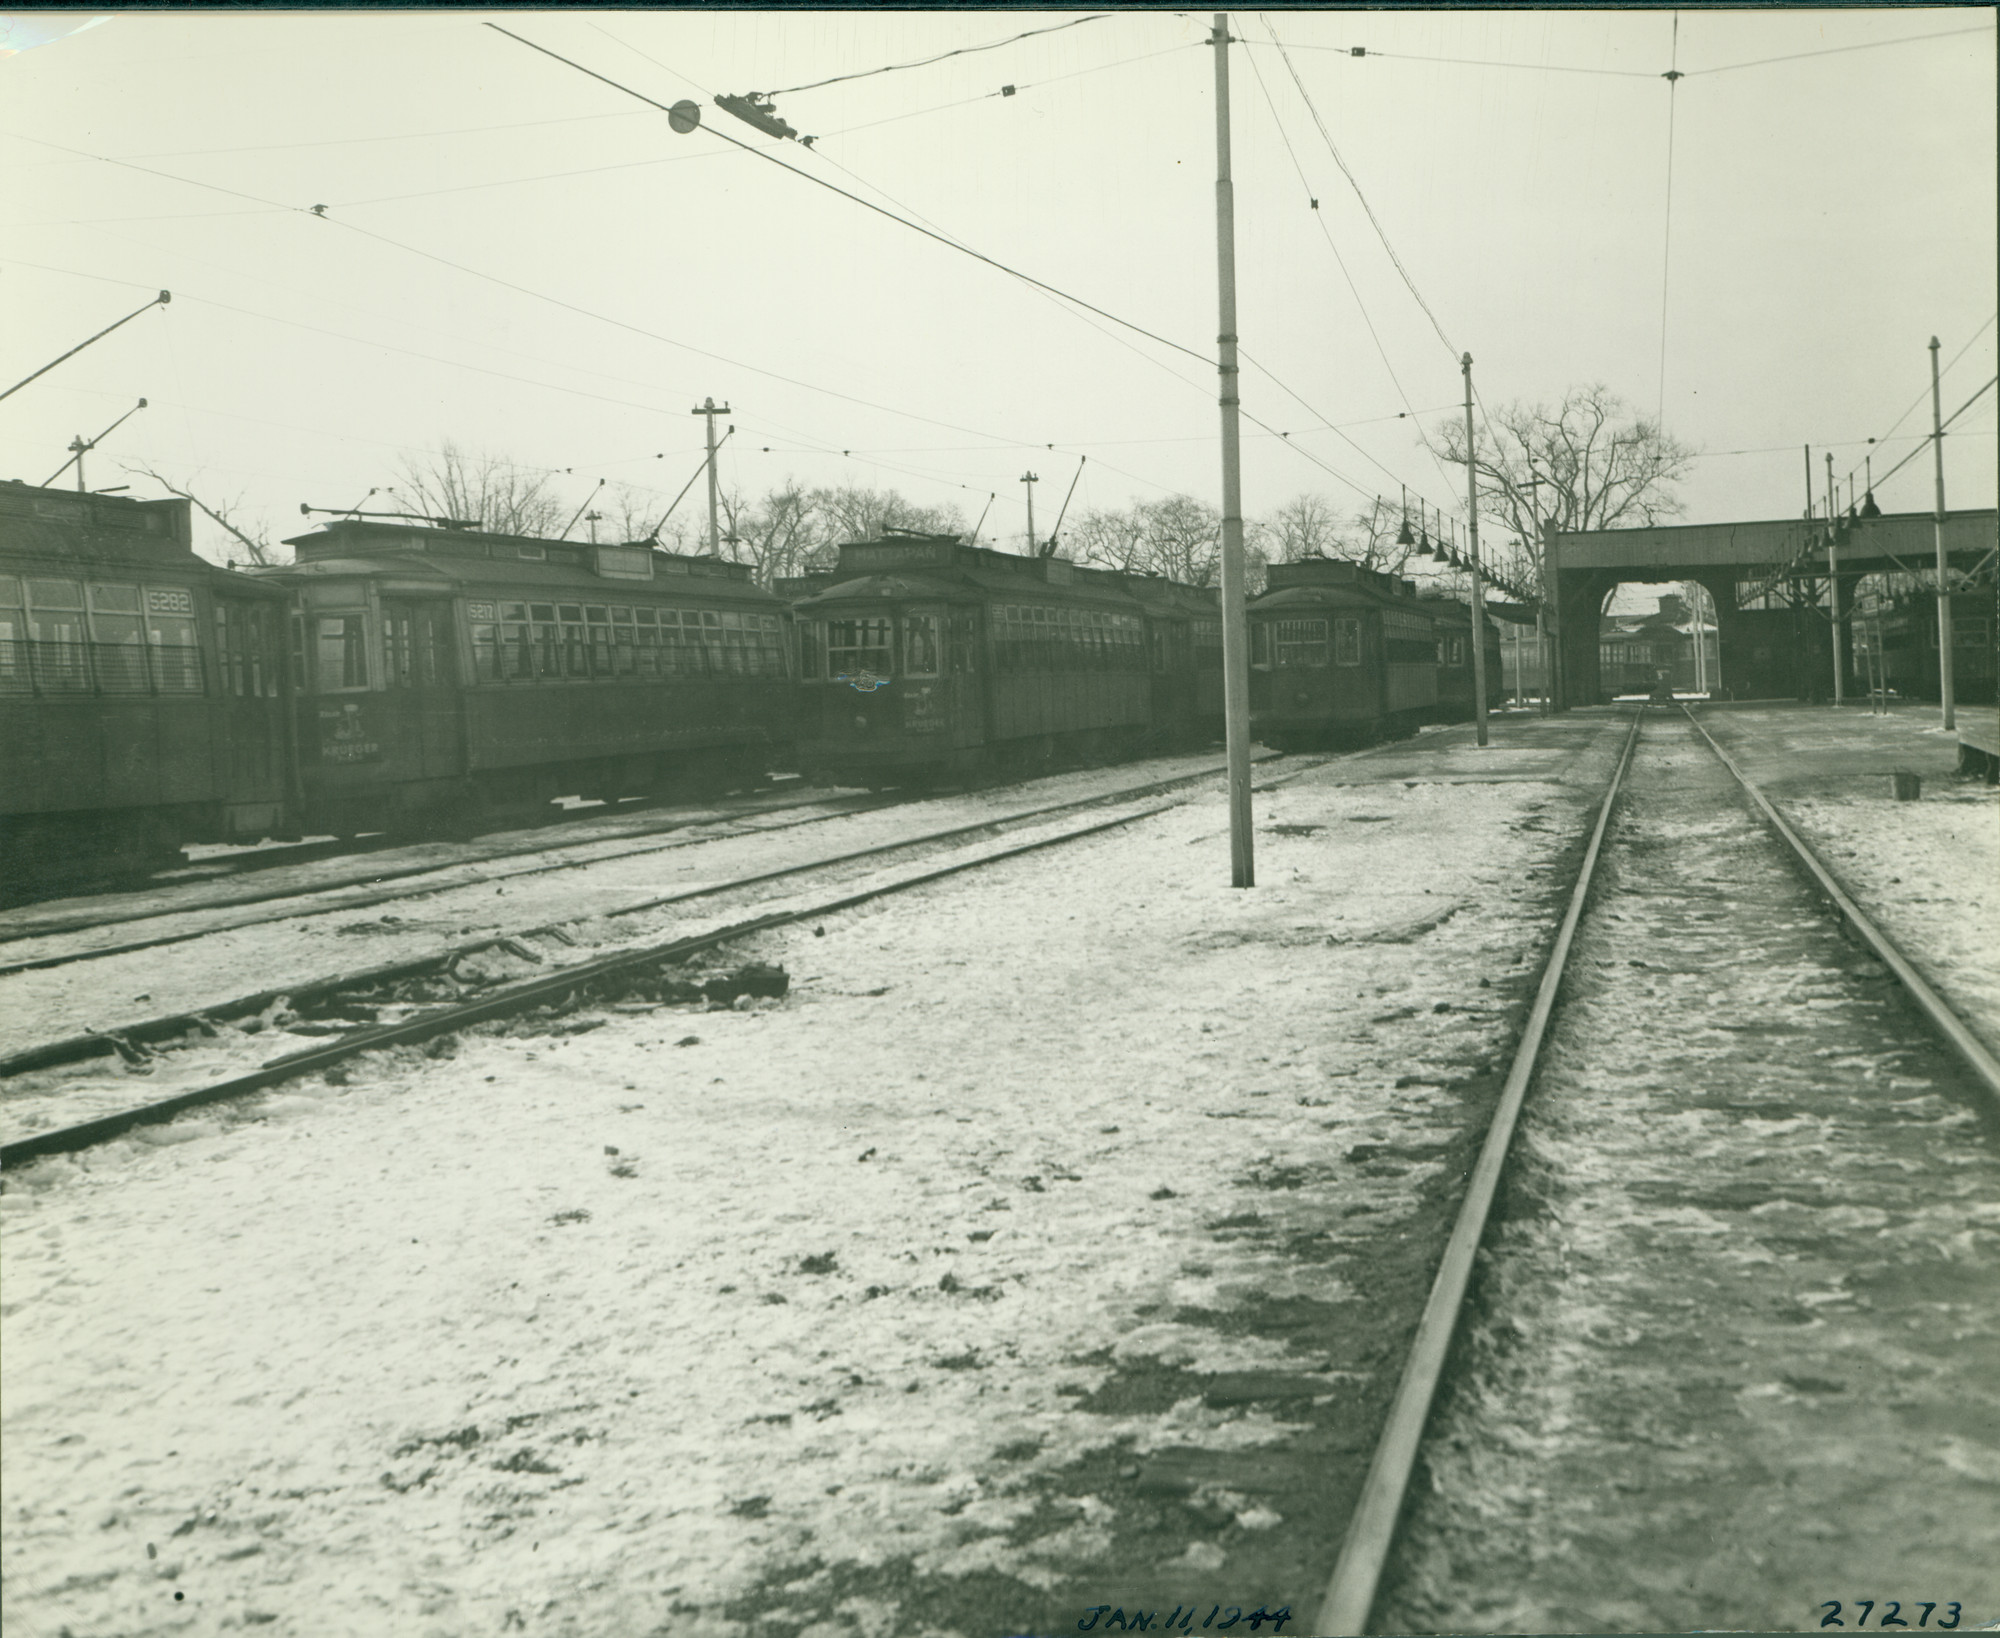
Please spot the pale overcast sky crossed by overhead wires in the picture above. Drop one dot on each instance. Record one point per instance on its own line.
(533, 263)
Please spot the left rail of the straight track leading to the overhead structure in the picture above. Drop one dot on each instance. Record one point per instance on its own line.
(1373, 1527)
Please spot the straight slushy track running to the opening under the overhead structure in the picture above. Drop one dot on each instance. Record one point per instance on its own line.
(1683, 939)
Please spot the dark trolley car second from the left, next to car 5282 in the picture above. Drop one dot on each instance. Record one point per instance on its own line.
(451, 675)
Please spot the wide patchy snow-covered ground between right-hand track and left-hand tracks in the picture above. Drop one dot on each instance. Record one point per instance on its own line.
(799, 1319)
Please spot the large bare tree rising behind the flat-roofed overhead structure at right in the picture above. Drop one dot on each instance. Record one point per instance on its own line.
(1585, 465)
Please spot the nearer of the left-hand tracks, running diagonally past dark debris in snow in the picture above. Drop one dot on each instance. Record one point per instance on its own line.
(435, 995)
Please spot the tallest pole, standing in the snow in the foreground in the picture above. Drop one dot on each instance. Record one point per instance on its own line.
(1235, 627)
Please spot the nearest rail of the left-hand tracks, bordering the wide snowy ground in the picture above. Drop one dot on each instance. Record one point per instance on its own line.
(509, 999)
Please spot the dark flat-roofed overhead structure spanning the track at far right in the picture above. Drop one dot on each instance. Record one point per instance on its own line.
(1775, 587)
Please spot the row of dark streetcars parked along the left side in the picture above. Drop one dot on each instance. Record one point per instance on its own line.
(419, 679)
